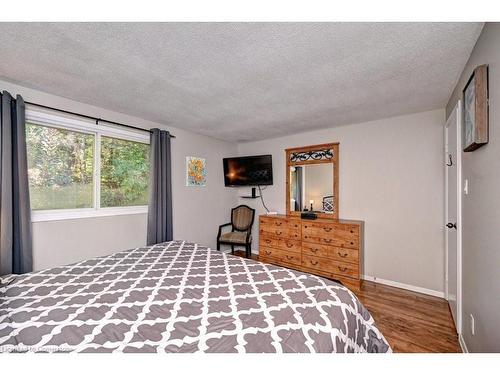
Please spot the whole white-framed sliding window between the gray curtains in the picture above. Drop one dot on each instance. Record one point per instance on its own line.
(77, 169)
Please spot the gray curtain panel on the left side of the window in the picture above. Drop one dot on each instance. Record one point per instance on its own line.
(15, 211)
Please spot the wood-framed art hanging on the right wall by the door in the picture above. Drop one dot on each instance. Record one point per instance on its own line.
(475, 99)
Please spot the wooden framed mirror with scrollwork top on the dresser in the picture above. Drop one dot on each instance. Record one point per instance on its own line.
(312, 180)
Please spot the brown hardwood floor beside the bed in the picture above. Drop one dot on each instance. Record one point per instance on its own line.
(411, 322)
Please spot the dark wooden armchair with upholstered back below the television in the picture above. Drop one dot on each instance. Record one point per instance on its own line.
(242, 218)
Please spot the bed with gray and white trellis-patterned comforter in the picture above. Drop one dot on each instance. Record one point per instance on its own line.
(181, 297)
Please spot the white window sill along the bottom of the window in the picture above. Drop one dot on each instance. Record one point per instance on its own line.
(85, 213)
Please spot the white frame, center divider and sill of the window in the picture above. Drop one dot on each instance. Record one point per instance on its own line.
(87, 127)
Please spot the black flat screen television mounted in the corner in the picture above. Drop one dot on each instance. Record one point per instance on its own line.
(248, 170)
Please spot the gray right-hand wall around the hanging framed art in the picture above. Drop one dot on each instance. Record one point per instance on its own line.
(481, 208)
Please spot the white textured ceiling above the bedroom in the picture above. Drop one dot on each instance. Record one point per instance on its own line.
(242, 81)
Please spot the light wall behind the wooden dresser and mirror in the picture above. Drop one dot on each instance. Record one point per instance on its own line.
(391, 176)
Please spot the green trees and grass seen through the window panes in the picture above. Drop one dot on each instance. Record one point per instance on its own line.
(61, 169)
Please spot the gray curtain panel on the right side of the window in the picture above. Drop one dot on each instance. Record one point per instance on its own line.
(160, 189)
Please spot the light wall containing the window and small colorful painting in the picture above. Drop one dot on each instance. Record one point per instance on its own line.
(197, 211)
